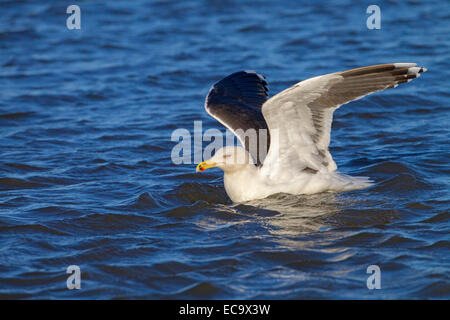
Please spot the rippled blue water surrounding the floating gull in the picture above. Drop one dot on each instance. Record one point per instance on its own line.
(86, 176)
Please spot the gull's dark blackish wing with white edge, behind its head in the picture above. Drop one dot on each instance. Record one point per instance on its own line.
(236, 101)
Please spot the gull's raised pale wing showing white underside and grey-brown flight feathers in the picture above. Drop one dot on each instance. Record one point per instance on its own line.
(299, 118)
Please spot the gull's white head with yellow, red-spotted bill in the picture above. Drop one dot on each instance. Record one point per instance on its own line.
(228, 159)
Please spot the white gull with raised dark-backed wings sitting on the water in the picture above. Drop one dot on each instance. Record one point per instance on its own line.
(293, 158)
